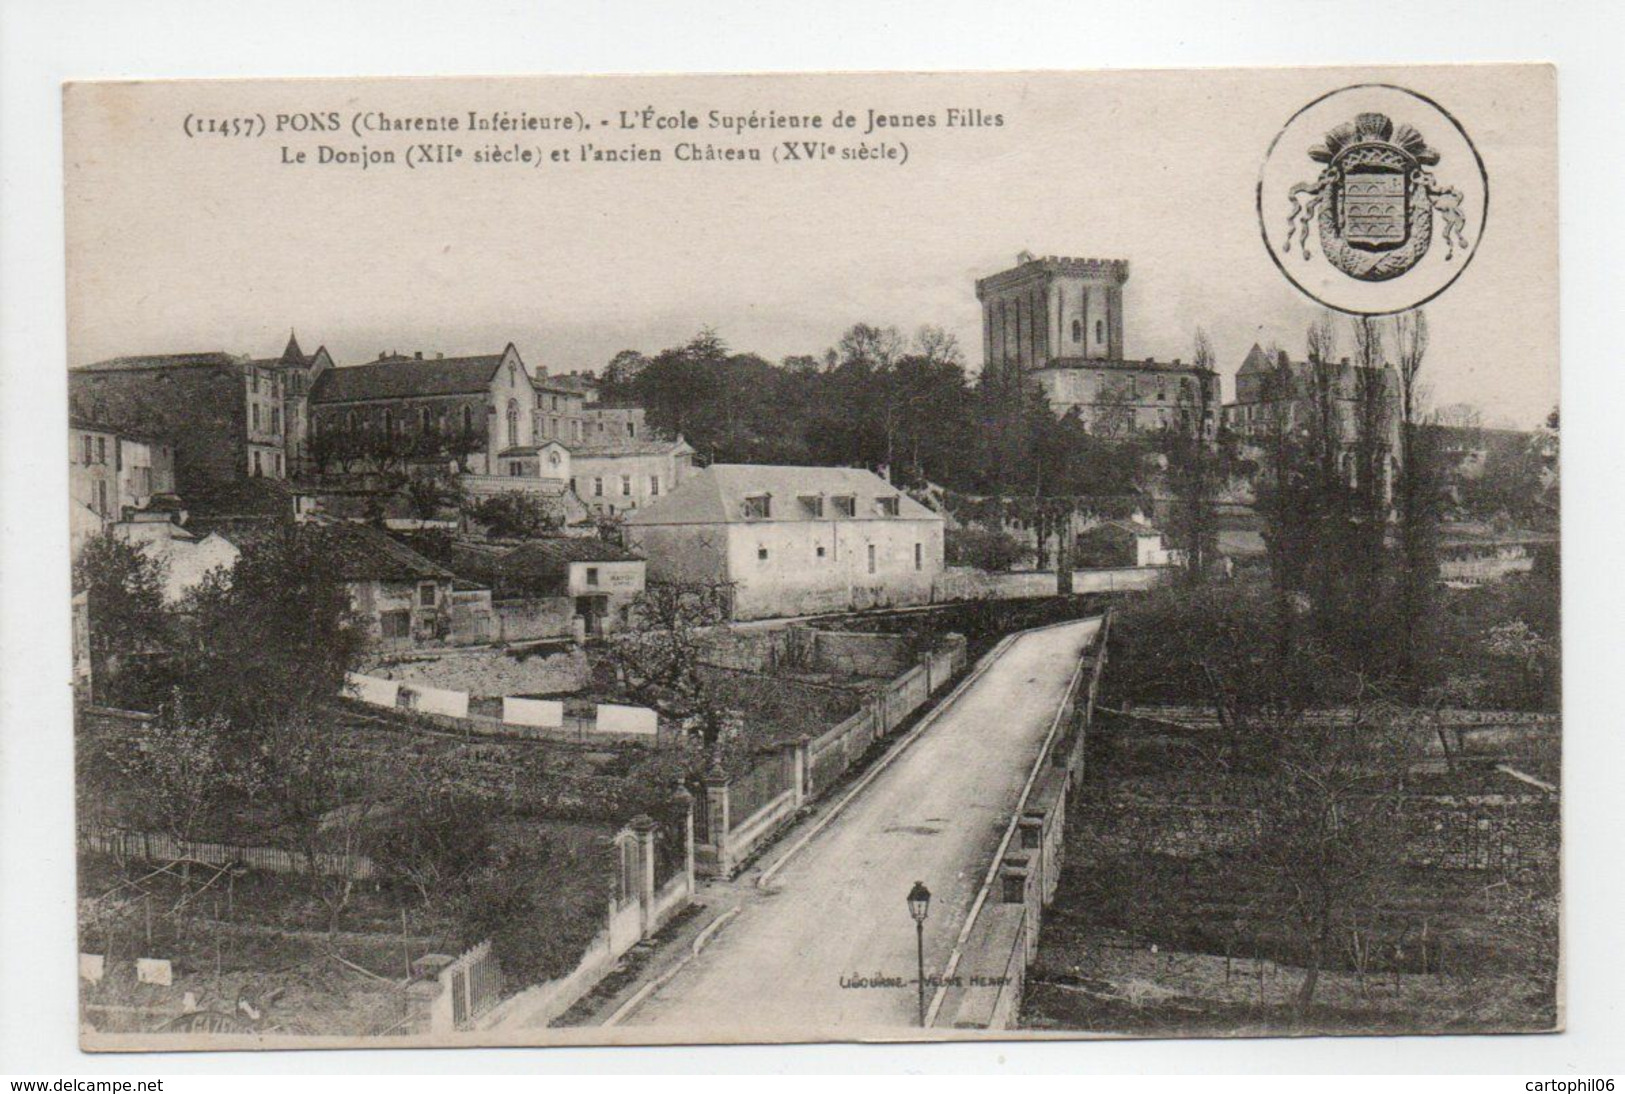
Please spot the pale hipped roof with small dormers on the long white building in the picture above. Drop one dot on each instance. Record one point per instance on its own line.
(717, 495)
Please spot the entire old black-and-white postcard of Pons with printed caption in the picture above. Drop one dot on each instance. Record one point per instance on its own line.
(794, 558)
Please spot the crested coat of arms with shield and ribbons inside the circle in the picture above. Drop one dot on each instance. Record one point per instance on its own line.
(1374, 202)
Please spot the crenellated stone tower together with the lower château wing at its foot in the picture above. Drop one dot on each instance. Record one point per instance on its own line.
(1060, 321)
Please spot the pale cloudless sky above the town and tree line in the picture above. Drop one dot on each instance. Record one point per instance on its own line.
(214, 243)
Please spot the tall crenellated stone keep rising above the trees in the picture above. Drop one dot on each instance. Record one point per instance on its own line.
(1052, 310)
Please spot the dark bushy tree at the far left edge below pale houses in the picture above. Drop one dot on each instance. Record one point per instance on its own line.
(124, 593)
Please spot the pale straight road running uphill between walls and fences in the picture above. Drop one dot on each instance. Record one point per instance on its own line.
(838, 909)
